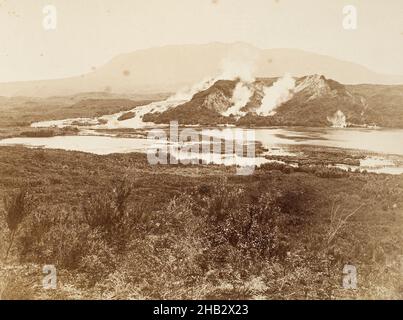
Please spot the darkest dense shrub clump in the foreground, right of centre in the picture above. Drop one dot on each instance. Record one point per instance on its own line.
(255, 225)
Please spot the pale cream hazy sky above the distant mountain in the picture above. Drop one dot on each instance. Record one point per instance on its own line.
(90, 32)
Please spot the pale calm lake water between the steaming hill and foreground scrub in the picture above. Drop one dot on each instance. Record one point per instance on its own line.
(383, 142)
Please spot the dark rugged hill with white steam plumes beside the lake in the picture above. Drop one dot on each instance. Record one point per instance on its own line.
(313, 101)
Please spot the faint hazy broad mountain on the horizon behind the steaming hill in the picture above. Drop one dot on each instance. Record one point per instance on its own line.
(169, 68)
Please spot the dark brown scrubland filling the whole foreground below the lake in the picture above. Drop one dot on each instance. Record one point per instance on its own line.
(116, 228)
